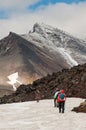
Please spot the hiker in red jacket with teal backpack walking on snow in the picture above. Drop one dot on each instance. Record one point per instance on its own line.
(61, 100)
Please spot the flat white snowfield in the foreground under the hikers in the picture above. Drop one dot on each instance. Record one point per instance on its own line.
(41, 116)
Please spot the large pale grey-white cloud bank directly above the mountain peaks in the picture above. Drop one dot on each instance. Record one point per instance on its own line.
(70, 18)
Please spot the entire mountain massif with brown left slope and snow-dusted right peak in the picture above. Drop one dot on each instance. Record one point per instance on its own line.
(42, 51)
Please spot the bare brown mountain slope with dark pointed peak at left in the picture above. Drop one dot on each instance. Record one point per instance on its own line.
(31, 61)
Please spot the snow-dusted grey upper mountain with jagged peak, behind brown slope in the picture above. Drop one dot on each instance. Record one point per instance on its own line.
(72, 49)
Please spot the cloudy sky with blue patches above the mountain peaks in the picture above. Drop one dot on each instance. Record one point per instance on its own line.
(19, 16)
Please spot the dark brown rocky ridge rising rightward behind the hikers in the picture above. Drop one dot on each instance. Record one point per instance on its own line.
(73, 81)
